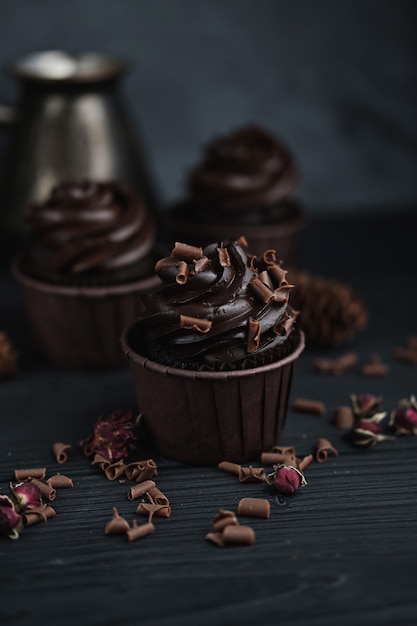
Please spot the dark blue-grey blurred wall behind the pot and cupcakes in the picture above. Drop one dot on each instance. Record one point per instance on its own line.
(336, 80)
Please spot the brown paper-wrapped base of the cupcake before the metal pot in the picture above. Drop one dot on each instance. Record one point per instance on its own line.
(80, 327)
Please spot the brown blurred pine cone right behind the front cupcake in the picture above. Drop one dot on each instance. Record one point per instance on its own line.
(330, 312)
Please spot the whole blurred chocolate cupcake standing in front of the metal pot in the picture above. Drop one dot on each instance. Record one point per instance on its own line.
(90, 258)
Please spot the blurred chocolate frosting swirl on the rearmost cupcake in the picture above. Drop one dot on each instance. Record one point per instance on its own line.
(243, 170)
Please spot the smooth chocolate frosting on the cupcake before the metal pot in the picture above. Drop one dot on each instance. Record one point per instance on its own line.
(91, 226)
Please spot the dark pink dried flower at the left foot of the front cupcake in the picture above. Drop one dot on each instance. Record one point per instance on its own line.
(112, 436)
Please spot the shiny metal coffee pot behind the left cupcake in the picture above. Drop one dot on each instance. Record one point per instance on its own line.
(70, 124)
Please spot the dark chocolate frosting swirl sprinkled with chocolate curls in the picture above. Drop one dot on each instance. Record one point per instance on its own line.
(218, 307)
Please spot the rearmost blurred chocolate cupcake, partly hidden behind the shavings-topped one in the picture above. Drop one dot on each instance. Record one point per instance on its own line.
(244, 185)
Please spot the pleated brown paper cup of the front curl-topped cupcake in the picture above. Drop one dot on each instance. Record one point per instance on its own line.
(207, 417)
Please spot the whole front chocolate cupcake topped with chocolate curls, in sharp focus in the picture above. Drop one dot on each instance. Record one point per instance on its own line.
(212, 355)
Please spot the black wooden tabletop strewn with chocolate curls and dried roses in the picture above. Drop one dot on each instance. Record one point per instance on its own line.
(341, 551)
